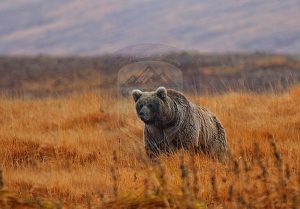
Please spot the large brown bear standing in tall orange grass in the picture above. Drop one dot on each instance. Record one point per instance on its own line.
(172, 123)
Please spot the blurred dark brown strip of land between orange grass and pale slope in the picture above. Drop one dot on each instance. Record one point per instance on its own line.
(41, 75)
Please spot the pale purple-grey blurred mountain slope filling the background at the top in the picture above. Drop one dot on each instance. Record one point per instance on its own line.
(94, 27)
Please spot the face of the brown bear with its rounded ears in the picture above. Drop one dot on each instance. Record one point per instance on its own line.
(150, 106)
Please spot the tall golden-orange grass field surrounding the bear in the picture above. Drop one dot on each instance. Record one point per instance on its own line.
(85, 150)
